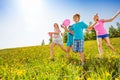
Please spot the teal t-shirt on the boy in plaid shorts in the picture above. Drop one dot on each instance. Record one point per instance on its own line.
(78, 30)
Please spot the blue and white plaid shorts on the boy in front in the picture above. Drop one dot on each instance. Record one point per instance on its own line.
(78, 45)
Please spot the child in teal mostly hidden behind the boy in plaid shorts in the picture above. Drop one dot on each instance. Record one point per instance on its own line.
(69, 40)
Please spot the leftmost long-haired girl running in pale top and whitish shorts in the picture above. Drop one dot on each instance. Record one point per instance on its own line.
(56, 40)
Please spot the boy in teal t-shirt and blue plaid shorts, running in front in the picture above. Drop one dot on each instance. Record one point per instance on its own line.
(78, 36)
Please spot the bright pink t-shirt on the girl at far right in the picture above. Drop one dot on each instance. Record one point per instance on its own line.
(99, 28)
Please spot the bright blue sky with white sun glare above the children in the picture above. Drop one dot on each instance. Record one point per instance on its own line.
(27, 22)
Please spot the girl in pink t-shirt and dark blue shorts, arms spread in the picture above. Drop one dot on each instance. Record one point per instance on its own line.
(101, 32)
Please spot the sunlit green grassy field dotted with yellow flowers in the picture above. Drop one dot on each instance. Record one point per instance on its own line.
(31, 63)
